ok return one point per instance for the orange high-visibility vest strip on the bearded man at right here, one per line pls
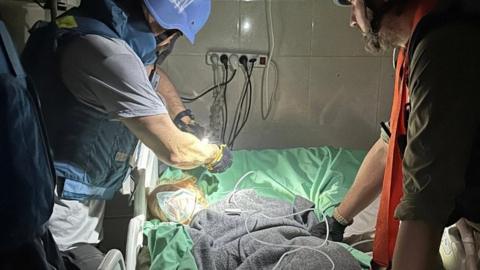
(387, 225)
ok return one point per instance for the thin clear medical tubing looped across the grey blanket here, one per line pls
(297, 247)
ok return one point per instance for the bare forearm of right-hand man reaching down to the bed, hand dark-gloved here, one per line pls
(368, 182)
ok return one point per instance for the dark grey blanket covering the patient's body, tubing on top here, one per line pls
(221, 240)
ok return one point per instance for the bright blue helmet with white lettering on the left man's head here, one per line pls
(188, 16)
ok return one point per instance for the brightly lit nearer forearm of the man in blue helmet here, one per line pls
(172, 146)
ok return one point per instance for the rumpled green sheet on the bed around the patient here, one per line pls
(322, 175)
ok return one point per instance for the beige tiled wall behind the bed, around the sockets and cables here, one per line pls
(330, 91)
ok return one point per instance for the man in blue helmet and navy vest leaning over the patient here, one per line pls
(96, 71)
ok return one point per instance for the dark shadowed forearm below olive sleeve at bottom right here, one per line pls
(417, 246)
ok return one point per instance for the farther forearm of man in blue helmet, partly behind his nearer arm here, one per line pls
(168, 92)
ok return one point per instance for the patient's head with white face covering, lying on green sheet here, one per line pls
(176, 202)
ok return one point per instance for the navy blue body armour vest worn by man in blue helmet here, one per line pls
(91, 151)
